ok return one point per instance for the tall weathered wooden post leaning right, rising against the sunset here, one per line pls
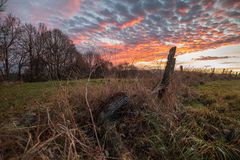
(167, 75)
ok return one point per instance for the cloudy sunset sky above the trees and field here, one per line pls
(206, 32)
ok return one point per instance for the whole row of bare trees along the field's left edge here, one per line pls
(36, 53)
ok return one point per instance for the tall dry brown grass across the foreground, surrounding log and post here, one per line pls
(147, 129)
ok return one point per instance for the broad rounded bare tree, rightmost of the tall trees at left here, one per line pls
(59, 53)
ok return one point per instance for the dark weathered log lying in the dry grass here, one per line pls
(109, 108)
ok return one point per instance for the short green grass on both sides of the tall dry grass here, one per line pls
(215, 94)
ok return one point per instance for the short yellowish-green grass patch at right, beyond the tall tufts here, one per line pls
(220, 96)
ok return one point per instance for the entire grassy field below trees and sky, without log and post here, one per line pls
(205, 126)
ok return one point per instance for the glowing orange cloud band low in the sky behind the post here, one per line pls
(155, 50)
